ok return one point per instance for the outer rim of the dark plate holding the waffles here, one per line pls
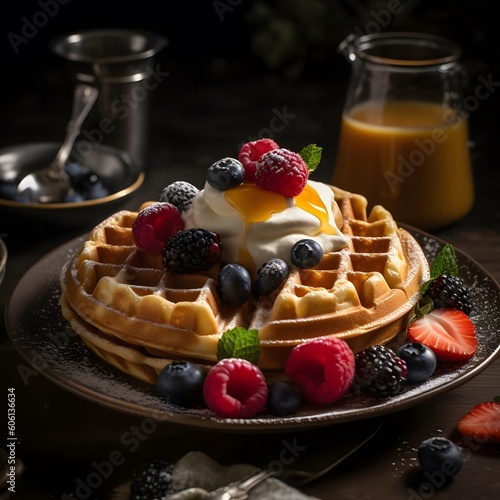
(210, 422)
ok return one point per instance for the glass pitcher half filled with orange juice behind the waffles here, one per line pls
(403, 138)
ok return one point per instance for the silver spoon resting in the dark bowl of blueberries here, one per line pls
(51, 184)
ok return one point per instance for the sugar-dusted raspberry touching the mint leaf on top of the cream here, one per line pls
(282, 171)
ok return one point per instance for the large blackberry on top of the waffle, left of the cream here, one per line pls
(192, 251)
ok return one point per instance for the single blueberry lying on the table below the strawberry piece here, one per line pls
(438, 454)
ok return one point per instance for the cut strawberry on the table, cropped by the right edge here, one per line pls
(482, 423)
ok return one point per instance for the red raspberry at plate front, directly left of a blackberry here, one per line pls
(323, 368)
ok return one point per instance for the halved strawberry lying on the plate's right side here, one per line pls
(450, 333)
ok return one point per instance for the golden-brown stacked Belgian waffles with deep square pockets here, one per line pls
(138, 317)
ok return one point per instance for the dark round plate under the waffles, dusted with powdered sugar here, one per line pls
(41, 335)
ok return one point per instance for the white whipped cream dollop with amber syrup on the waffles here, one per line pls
(256, 225)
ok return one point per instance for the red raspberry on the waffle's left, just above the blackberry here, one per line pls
(155, 225)
